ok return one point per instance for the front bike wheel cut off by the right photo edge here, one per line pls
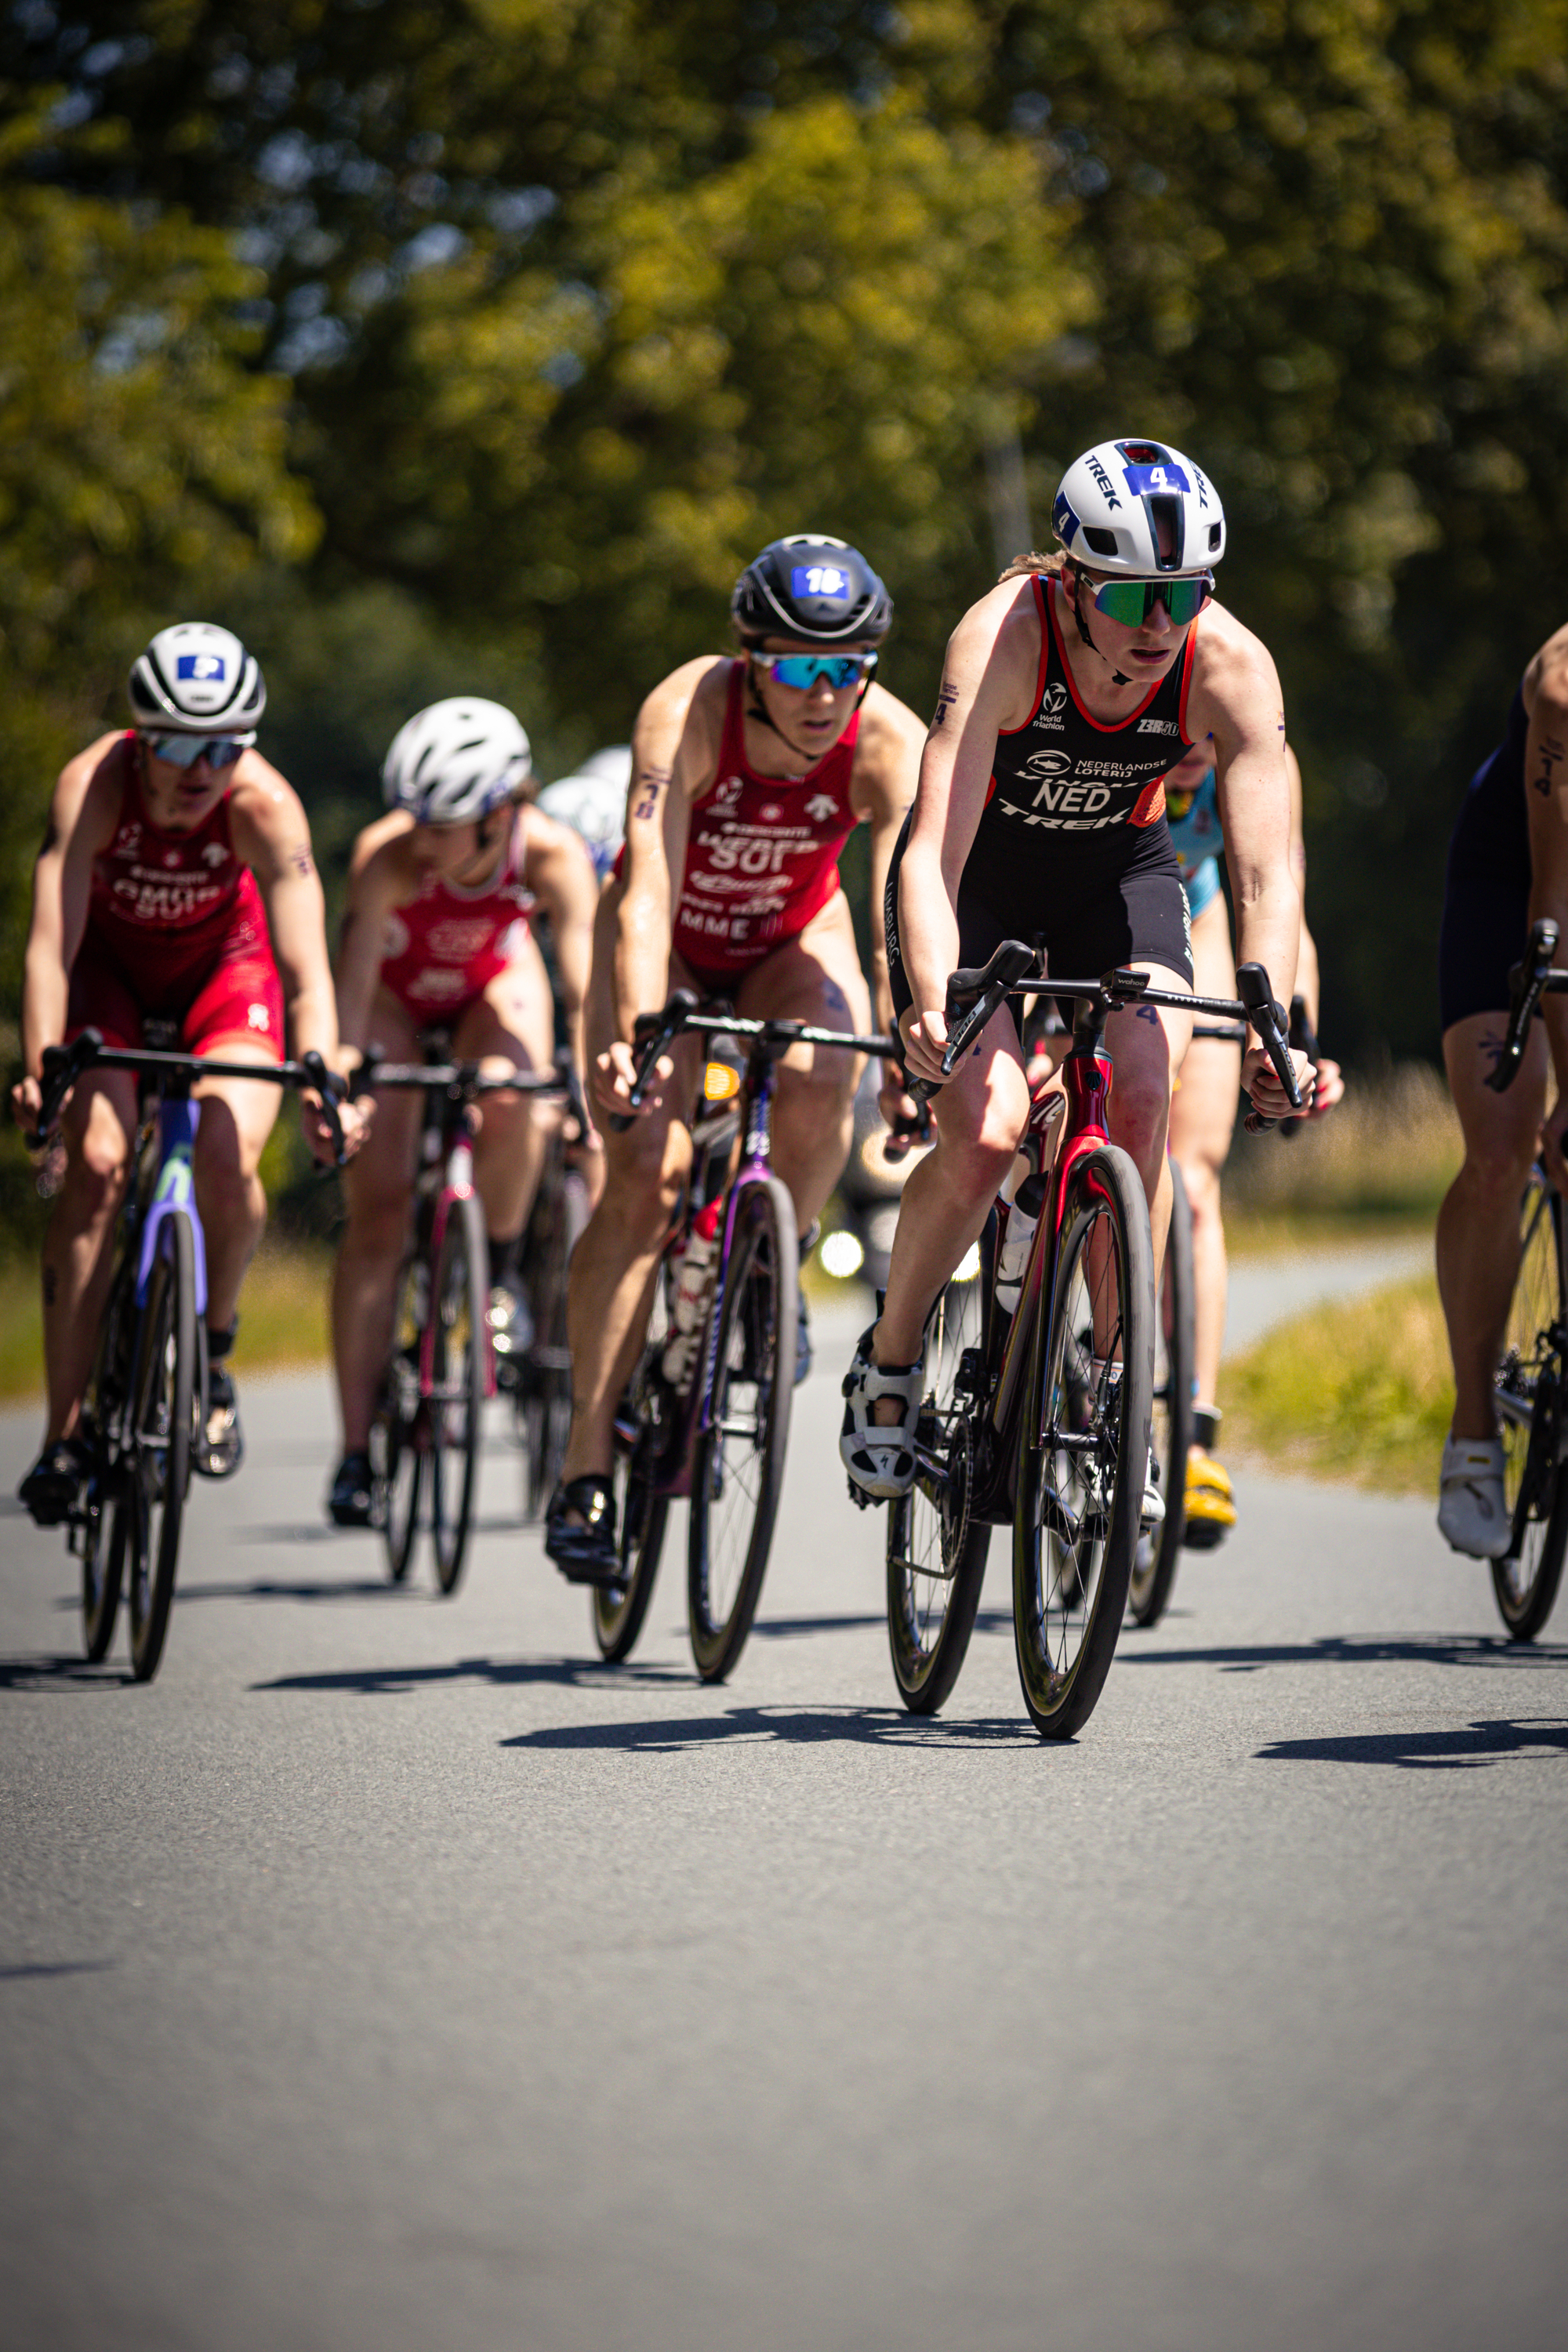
(1532, 1396)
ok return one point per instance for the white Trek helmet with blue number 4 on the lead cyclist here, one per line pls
(1113, 502)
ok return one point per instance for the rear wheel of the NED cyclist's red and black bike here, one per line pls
(934, 1546)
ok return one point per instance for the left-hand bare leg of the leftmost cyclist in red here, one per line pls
(98, 1130)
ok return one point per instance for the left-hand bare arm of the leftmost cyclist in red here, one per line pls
(83, 817)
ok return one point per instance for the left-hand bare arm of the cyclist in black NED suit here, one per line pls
(989, 679)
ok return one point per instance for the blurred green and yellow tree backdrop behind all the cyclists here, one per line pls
(478, 345)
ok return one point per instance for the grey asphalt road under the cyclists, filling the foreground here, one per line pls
(389, 1975)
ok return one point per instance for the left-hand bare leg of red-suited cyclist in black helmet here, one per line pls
(615, 1262)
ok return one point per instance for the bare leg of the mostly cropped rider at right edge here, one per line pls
(1477, 1229)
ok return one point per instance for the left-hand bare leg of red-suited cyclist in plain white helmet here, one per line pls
(377, 1194)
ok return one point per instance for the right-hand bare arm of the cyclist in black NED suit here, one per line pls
(1235, 697)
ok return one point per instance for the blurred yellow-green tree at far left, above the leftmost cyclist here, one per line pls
(138, 455)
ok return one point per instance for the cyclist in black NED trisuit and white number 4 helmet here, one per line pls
(1068, 695)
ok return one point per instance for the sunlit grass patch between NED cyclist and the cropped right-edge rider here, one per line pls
(1358, 1391)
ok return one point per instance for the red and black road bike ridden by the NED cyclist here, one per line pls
(1043, 1419)
